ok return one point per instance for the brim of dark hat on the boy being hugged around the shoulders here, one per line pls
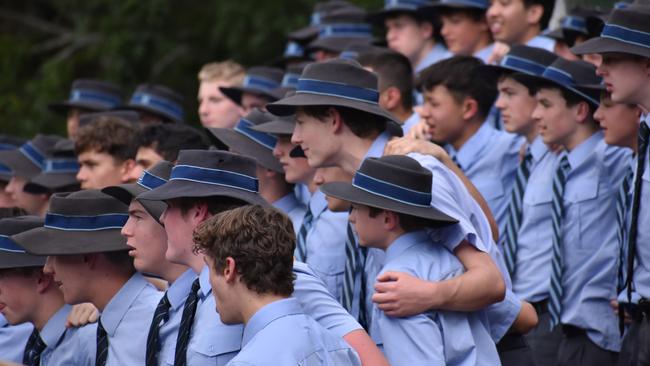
(348, 192)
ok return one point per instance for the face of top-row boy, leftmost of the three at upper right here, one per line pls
(407, 36)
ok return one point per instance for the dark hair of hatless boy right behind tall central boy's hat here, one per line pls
(393, 70)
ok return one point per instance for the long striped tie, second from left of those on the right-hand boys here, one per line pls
(555, 303)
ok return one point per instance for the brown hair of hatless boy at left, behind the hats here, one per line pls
(110, 135)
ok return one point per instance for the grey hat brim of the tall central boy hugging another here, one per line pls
(287, 107)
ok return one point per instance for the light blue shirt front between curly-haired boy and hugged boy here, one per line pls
(326, 243)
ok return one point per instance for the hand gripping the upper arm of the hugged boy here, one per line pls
(399, 294)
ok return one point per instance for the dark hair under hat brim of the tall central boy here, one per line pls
(362, 124)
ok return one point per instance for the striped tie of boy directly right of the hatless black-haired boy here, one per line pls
(509, 241)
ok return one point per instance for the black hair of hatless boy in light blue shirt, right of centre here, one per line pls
(459, 75)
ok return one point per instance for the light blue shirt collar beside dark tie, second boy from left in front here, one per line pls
(120, 303)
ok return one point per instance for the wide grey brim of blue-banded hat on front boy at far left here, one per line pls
(47, 241)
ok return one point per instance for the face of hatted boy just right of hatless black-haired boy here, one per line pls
(516, 106)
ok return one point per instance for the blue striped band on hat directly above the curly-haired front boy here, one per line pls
(216, 177)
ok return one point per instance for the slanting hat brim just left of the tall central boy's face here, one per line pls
(241, 144)
